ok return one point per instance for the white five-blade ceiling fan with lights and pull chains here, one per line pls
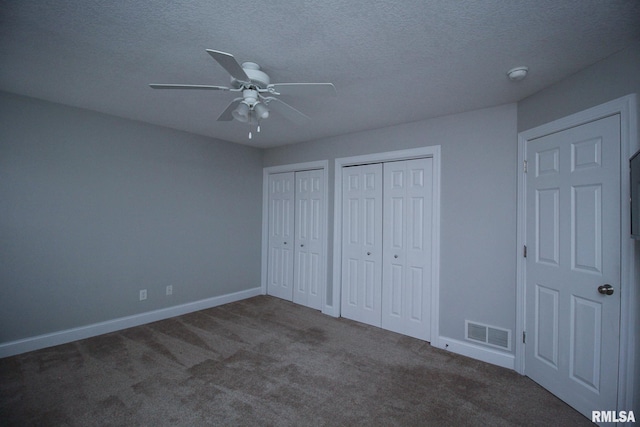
(259, 95)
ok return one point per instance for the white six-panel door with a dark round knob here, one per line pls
(573, 236)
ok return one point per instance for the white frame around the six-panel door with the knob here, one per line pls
(626, 106)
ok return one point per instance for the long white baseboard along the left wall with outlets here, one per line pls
(62, 337)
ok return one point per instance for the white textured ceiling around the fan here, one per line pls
(391, 62)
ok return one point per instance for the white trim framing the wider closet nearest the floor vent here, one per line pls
(431, 151)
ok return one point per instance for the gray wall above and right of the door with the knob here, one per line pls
(611, 78)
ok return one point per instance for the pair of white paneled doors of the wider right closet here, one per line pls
(387, 225)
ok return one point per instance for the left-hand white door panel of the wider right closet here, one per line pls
(362, 243)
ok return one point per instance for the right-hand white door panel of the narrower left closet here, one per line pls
(309, 231)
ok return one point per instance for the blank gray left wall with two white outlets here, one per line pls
(94, 208)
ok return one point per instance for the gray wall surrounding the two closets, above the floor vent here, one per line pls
(478, 205)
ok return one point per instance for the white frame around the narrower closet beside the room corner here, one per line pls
(296, 167)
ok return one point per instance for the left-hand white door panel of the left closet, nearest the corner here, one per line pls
(281, 229)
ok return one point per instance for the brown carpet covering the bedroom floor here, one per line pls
(265, 361)
